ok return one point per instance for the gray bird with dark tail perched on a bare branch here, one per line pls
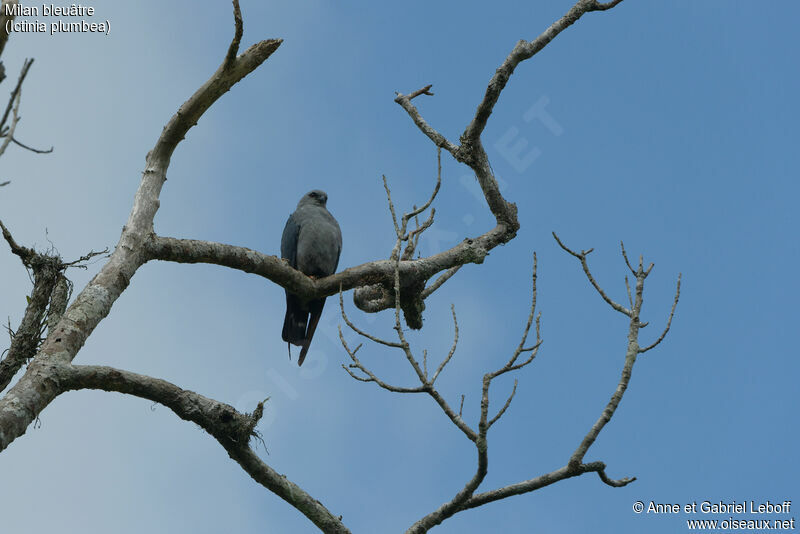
(312, 242)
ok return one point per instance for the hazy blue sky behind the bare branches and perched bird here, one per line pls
(669, 125)
